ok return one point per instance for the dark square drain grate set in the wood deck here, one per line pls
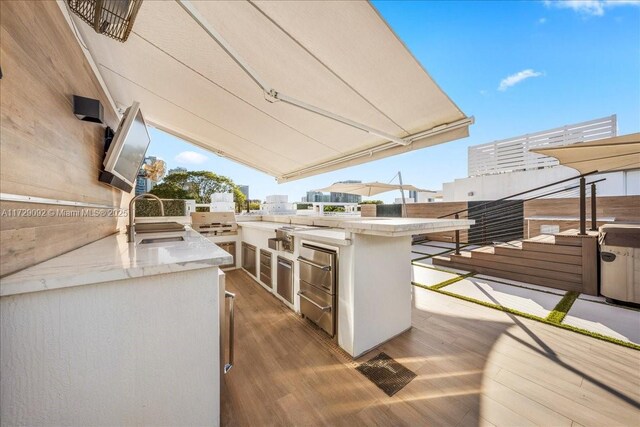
(387, 374)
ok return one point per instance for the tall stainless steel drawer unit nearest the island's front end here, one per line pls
(318, 286)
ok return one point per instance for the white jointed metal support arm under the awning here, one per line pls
(268, 90)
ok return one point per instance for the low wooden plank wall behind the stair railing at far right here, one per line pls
(622, 208)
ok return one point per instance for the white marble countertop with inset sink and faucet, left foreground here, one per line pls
(113, 258)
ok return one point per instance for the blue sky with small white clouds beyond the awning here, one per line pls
(518, 67)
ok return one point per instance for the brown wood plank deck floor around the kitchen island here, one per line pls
(475, 366)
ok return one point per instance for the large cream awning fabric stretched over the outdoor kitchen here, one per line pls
(337, 56)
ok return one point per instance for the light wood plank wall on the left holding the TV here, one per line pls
(45, 151)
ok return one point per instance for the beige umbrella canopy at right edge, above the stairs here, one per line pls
(604, 155)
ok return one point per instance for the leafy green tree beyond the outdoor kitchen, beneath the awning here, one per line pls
(198, 185)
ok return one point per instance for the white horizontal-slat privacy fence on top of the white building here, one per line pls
(509, 155)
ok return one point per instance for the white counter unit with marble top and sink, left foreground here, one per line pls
(115, 333)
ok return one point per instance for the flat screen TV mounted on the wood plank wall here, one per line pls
(126, 151)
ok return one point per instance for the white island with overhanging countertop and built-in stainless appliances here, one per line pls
(374, 293)
